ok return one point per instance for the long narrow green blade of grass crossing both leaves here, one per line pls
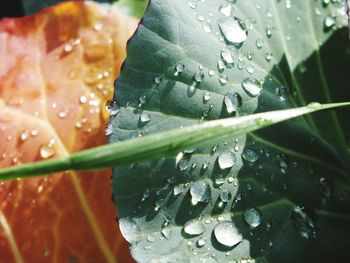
(161, 144)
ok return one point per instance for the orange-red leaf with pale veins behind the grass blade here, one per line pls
(56, 72)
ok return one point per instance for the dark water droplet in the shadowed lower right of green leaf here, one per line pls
(304, 219)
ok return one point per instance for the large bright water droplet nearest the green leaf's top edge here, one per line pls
(234, 30)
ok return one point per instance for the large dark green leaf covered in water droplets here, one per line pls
(269, 196)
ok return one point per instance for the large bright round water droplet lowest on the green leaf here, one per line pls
(227, 234)
